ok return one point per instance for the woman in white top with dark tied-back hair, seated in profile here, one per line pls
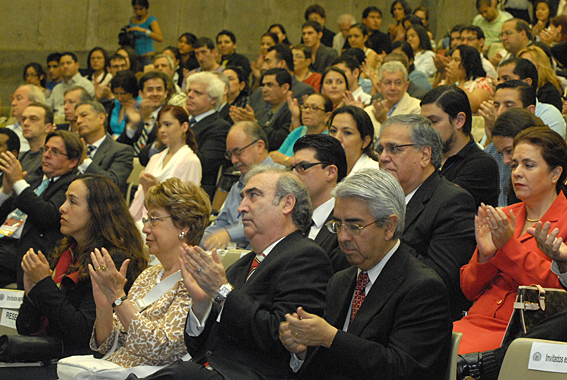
(177, 160)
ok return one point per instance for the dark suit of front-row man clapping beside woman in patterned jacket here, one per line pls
(245, 344)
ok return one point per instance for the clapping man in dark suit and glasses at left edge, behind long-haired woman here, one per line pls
(30, 211)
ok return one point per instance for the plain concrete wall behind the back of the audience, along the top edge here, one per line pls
(30, 29)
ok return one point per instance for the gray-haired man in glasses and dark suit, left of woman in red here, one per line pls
(440, 215)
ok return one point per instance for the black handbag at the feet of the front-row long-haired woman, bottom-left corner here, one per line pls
(23, 348)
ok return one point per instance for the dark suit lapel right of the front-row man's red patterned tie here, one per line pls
(387, 283)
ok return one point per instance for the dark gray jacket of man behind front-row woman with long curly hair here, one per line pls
(114, 161)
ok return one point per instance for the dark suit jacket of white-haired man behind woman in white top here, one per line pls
(210, 134)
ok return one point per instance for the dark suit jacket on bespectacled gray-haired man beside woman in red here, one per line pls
(439, 226)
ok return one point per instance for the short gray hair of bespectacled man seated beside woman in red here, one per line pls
(422, 134)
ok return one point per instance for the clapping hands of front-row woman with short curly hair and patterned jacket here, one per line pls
(103, 272)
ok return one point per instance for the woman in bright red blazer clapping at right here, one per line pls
(507, 256)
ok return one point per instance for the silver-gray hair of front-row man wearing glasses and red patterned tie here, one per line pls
(380, 191)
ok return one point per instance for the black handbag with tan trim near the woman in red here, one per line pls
(533, 305)
